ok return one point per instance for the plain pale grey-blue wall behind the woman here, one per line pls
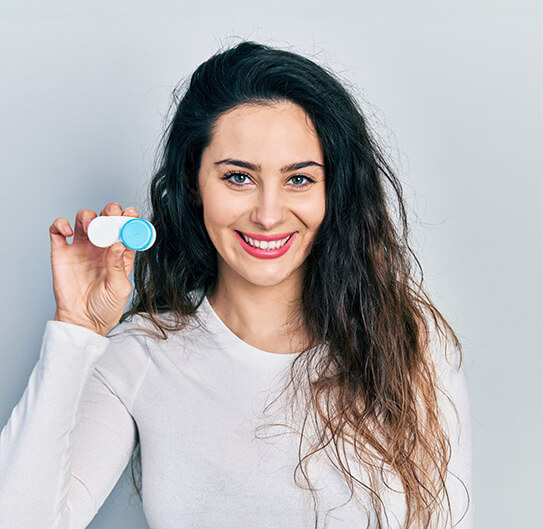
(454, 88)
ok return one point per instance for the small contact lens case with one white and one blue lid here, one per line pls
(135, 233)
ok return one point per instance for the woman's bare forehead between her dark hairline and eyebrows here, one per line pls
(275, 130)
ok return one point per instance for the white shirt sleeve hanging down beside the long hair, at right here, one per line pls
(454, 403)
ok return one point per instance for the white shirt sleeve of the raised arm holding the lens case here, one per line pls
(69, 438)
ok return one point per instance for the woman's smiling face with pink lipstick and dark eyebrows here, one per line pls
(246, 186)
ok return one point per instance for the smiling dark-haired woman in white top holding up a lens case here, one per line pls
(304, 383)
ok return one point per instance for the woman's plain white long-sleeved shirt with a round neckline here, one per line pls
(195, 400)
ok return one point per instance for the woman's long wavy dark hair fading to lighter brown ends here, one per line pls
(368, 382)
